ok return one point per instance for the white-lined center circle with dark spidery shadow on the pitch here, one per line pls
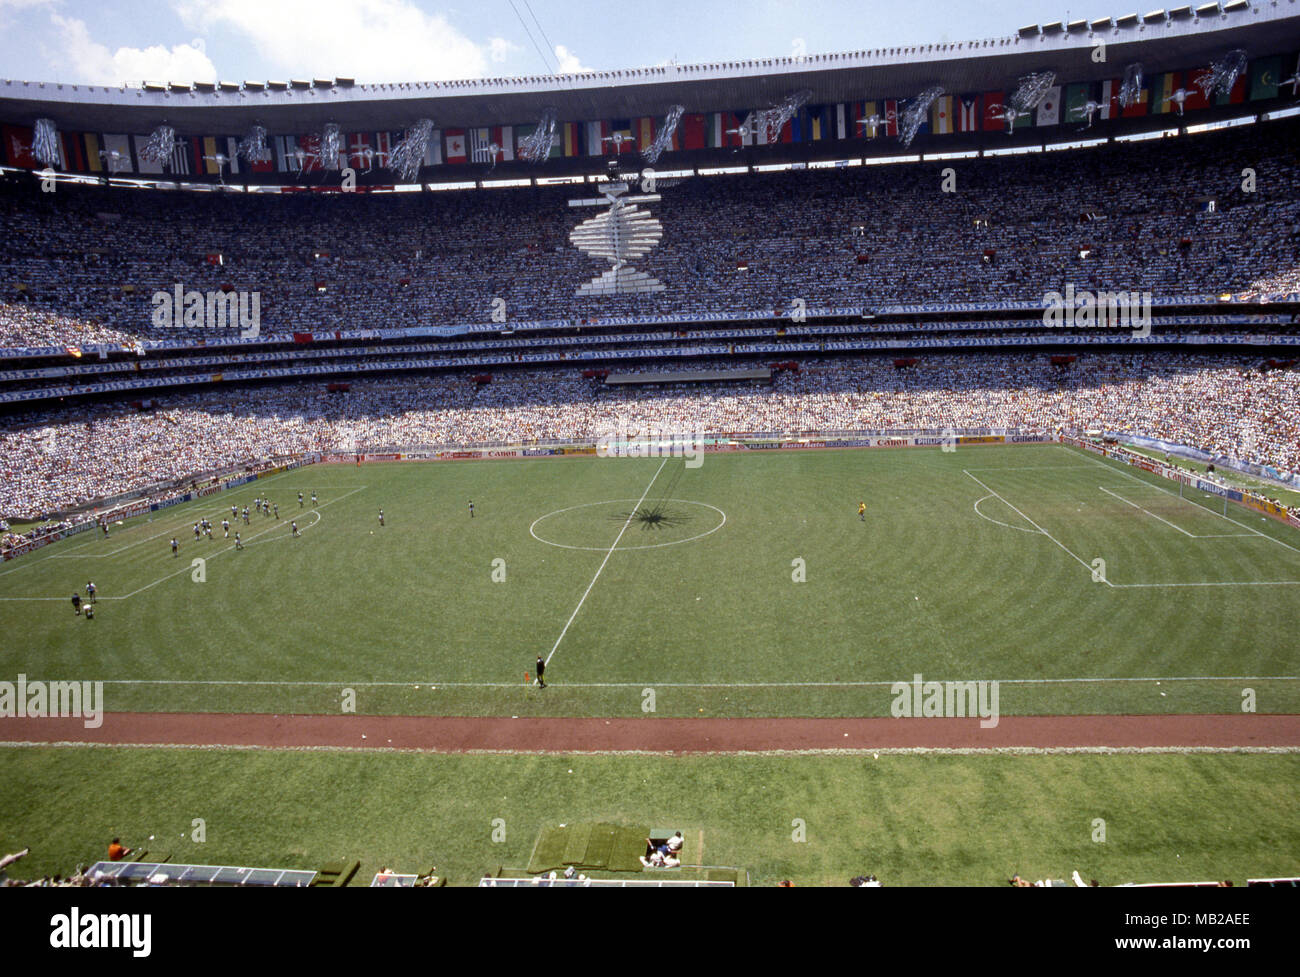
(597, 520)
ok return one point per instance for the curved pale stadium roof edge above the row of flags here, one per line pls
(1164, 40)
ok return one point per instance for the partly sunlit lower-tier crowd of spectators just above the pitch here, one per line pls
(59, 459)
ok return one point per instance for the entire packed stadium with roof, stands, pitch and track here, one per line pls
(879, 466)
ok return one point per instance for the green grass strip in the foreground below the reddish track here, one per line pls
(911, 820)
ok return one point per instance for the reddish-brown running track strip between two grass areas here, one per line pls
(662, 736)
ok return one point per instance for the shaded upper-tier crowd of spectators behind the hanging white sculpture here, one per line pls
(1168, 216)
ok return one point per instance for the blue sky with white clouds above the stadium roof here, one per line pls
(111, 42)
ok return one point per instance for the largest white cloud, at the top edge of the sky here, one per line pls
(372, 41)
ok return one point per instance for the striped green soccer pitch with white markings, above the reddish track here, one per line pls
(411, 618)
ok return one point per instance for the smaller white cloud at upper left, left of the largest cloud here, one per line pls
(83, 60)
